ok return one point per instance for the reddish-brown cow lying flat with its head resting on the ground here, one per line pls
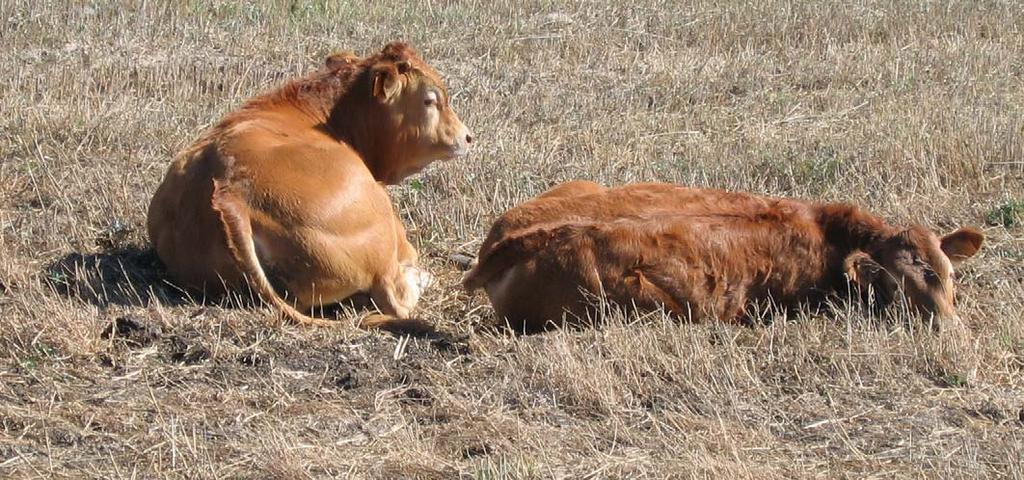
(704, 253)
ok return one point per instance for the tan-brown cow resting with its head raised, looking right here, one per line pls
(284, 197)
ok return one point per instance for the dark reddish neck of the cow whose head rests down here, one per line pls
(847, 228)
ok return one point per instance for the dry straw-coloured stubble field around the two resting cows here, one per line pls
(913, 109)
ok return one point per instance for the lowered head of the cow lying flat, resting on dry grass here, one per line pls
(919, 265)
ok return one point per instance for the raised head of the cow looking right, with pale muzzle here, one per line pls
(417, 112)
